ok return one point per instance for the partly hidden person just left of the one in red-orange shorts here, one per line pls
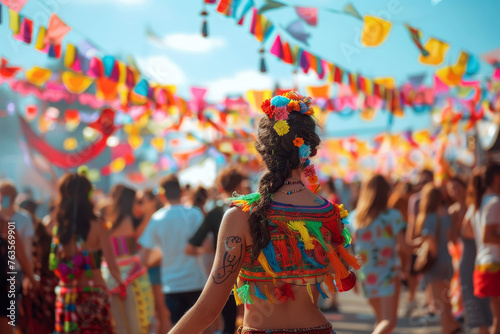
(477, 310)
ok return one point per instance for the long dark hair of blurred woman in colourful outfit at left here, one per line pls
(74, 209)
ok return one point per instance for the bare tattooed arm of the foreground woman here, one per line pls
(229, 257)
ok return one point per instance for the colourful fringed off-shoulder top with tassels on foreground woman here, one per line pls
(305, 240)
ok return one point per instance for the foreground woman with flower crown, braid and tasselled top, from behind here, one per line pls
(277, 246)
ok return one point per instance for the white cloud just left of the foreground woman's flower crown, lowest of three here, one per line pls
(240, 83)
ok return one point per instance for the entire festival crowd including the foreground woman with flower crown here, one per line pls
(138, 261)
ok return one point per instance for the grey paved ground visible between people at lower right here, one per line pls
(356, 317)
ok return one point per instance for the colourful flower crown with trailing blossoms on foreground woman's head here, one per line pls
(278, 109)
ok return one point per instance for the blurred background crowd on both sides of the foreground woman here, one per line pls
(148, 252)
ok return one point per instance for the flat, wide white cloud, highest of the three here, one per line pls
(194, 43)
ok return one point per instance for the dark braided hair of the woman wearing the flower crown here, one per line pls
(280, 156)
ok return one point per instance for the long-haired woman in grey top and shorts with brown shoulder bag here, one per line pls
(433, 223)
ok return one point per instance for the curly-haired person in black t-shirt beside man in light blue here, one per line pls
(229, 180)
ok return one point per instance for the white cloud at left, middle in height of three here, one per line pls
(162, 69)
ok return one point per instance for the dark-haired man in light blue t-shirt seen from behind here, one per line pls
(169, 229)
